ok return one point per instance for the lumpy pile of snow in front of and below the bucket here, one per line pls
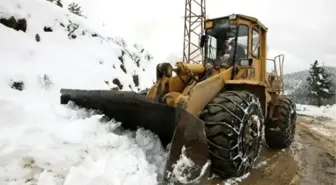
(49, 144)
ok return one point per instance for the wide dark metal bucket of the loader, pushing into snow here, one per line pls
(185, 132)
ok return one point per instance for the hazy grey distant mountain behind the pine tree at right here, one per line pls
(297, 87)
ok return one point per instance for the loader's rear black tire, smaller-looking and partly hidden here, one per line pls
(280, 133)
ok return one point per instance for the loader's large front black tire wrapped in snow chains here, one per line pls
(226, 118)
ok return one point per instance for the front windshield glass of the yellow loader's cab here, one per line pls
(221, 47)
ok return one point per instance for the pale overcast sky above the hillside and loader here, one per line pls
(303, 30)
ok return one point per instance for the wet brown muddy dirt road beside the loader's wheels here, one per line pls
(311, 160)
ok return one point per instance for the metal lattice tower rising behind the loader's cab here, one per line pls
(193, 29)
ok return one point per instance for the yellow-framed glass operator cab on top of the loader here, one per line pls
(235, 40)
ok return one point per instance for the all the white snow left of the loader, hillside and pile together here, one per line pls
(45, 143)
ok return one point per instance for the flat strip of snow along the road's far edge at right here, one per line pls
(323, 111)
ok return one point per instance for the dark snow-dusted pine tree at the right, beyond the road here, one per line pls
(319, 84)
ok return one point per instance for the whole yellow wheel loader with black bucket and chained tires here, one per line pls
(214, 116)
